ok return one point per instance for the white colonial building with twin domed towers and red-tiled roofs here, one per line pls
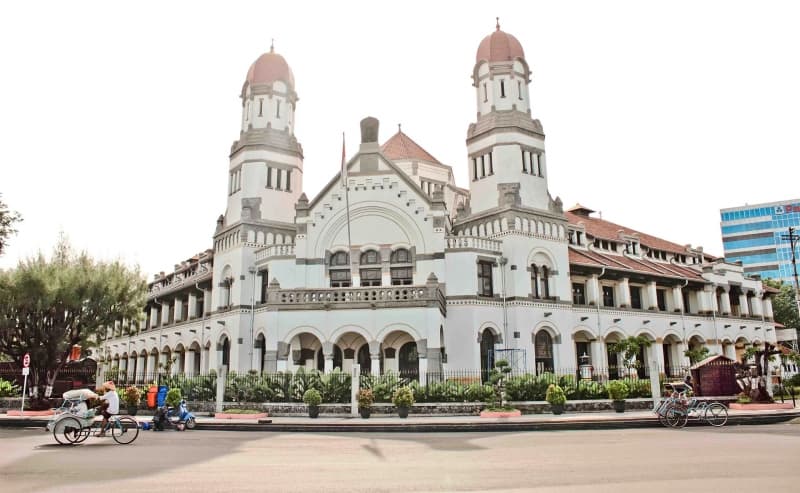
(429, 276)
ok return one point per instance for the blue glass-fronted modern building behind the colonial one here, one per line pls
(754, 234)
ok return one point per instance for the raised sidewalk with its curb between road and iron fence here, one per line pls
(426, 423)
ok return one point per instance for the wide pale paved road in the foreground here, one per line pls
(744, 458)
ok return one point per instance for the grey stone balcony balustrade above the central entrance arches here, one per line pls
(430, 294)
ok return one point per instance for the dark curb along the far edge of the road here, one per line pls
(358, 426)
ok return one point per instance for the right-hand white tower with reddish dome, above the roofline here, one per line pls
(505, 145)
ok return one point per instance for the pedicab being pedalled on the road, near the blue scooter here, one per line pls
(72, 426)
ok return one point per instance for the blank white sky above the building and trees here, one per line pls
(116, 121)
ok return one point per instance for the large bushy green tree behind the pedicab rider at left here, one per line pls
(48, 306)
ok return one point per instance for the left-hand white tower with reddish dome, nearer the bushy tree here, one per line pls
(265, 181)
